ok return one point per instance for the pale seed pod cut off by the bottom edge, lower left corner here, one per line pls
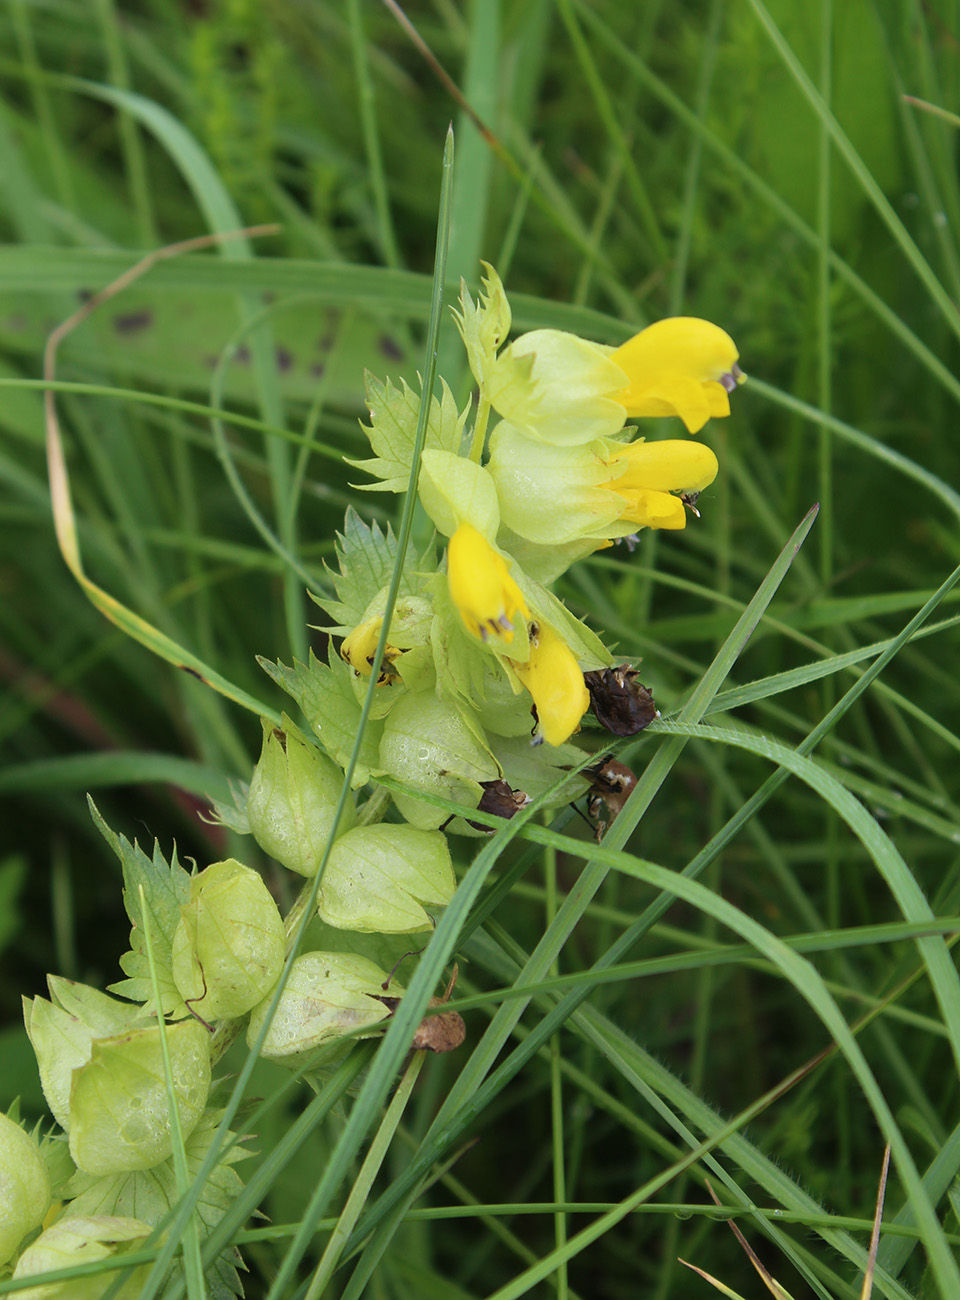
(84, 1241)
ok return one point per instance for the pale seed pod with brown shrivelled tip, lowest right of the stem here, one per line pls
(327, 996)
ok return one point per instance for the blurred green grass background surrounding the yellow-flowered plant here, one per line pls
(755, 166)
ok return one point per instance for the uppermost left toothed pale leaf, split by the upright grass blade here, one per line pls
(392, 432)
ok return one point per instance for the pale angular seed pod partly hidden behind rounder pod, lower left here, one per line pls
(62, 1034)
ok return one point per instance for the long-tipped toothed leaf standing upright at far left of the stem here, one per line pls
(166, 890)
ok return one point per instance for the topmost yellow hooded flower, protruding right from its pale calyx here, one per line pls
(681, 366)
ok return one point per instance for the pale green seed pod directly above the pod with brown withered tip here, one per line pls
(378, 877)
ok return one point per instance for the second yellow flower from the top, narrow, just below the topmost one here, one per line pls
(654, 473)
